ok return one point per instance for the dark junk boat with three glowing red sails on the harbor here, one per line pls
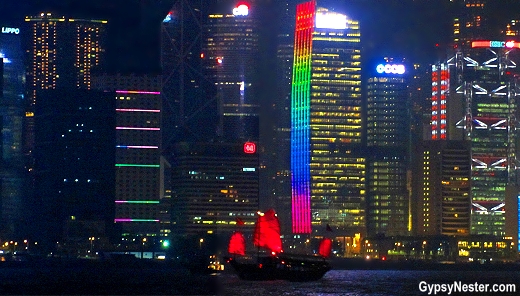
(274, 264)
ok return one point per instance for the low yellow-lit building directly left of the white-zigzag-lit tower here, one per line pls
(442, 195)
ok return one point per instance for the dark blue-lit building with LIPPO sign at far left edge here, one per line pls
(11, 115)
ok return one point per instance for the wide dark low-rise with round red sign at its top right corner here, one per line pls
(215, 188)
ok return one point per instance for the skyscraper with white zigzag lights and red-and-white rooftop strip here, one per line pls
(490, 92)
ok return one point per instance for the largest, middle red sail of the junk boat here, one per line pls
(267, 232)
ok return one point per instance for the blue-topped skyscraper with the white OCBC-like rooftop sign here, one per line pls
(388, 139)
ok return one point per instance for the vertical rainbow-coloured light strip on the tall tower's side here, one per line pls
(300, 118)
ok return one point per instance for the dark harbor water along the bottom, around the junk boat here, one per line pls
(154, 278)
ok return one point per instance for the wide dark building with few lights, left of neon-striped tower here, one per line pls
(74, 168)
